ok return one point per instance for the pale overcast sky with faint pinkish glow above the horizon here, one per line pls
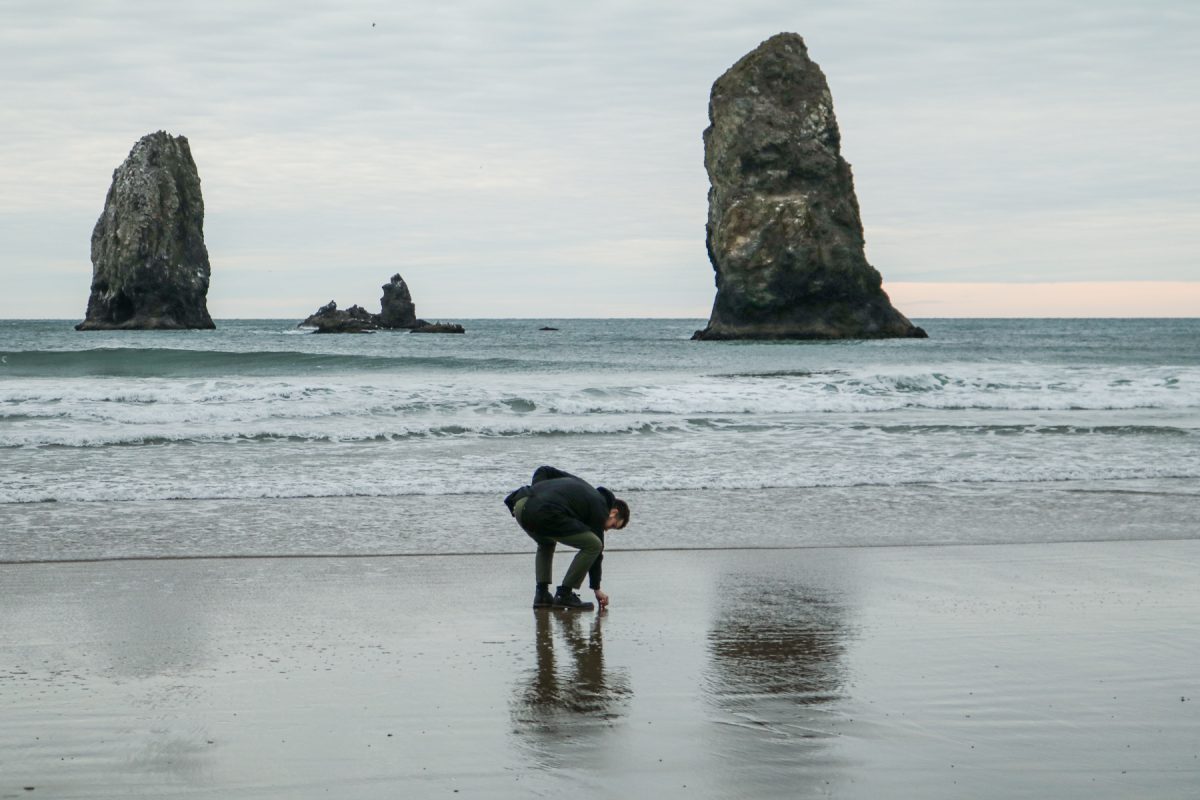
(527, 159)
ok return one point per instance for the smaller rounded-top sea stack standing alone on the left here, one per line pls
(151, 268)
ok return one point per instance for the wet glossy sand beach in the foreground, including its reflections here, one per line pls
(1024, 671)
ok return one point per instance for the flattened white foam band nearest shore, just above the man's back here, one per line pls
(919, 449)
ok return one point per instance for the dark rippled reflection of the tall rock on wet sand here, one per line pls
(776, 678)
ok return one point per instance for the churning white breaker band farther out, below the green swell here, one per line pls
(94, 413)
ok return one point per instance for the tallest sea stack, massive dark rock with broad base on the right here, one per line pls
(784, 232)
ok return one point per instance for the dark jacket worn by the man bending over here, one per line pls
(561, 504)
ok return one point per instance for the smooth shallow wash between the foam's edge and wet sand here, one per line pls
(889, 516)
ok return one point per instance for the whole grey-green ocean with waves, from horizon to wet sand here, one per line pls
(263, 440)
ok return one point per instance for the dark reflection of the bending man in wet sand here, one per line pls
(571, 699)
